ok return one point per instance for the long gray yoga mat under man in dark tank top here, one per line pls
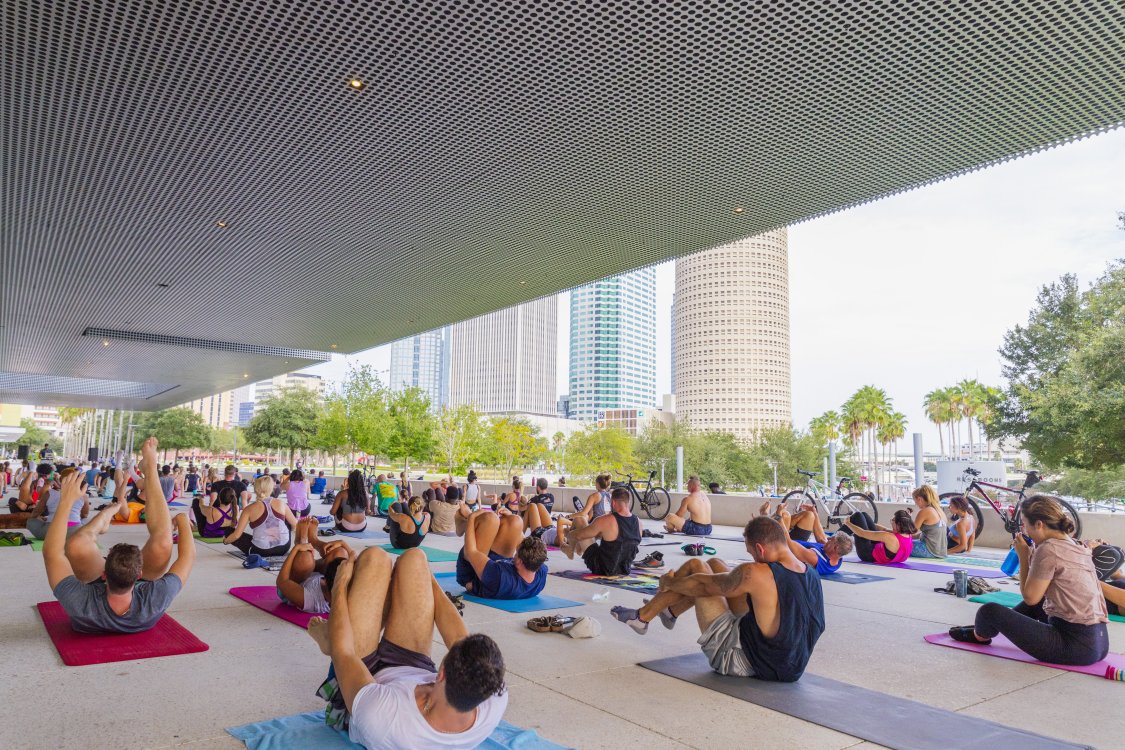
(870, 716)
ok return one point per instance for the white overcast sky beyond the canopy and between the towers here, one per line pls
(915, 292)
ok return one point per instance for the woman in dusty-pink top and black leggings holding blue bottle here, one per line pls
(1063, 619)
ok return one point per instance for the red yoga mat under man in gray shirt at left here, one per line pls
(167, 638)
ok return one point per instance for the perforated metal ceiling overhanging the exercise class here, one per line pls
(498, 152)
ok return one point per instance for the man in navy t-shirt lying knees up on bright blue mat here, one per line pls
(498, 563)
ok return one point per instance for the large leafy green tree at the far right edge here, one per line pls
(1066, 372)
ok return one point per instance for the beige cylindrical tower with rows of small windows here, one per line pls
(732, 357)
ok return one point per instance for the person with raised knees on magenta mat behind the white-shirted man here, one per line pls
(305, 580)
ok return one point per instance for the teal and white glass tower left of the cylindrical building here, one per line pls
(614, 346)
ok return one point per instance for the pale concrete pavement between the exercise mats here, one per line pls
(584, 694)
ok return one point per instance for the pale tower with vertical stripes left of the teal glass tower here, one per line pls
(506, 363)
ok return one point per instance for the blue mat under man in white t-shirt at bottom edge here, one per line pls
(302, 731)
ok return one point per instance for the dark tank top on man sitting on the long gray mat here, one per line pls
(802, 602)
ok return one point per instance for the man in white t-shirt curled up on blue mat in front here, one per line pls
(384, 688)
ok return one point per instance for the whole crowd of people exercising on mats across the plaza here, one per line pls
(376, 616)
